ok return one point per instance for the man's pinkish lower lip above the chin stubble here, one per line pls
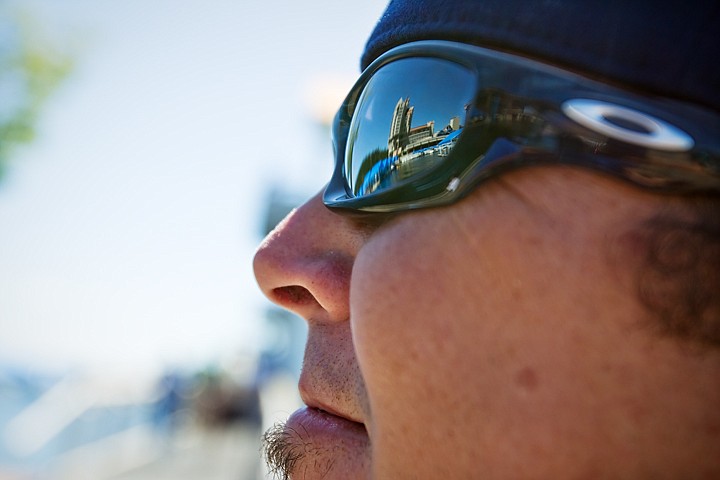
(321, 426)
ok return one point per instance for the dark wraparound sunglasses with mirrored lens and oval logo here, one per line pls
(429, 121)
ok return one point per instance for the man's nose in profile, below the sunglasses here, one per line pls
(305, 263)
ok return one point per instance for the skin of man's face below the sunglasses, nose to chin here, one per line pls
(500, 337)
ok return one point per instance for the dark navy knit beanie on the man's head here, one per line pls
(660, 47)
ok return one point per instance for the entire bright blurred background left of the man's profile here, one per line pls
(146, 146)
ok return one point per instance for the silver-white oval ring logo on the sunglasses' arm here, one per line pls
(627, 125)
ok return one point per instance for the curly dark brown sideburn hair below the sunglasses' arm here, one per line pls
(679, 281)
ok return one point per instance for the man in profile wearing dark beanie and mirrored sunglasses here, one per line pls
(514, 271)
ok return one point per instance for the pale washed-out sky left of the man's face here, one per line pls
(127, 229)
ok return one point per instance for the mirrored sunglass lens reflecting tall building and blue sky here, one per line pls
(406, 122)
